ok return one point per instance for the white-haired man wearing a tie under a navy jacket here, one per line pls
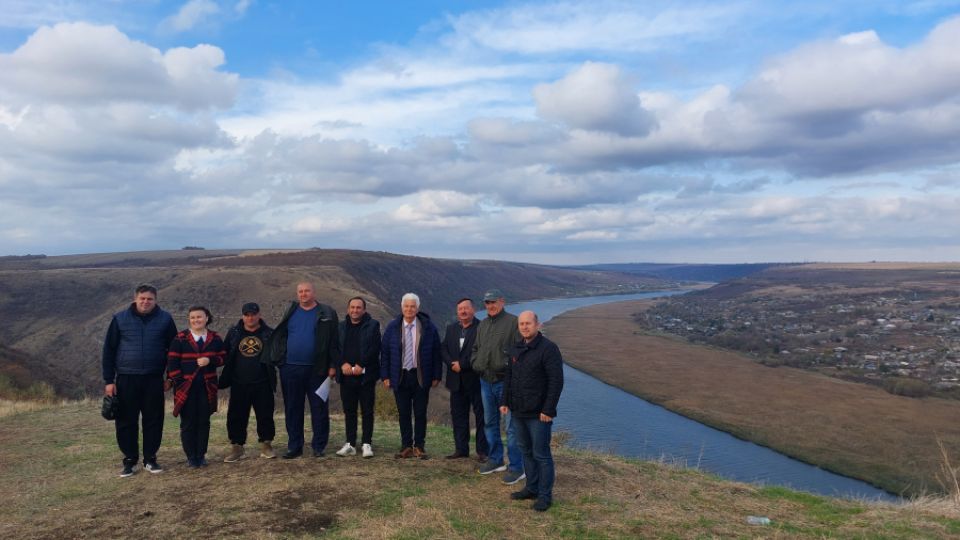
(410, 364)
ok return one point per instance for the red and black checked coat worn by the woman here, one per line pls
(182, 366)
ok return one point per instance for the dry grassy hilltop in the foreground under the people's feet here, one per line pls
(67, 487)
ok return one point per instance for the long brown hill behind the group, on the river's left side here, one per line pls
(55, 310)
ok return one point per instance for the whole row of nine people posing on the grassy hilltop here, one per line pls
(501, 366)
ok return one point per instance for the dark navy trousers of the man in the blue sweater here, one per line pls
(297, 383)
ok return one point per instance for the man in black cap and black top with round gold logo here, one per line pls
(251, 382)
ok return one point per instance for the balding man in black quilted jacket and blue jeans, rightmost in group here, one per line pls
(531, 391)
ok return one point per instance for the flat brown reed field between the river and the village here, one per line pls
(853, 429)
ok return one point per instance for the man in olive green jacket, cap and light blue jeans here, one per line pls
(496, 334)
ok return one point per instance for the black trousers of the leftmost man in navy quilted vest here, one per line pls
(141, 396)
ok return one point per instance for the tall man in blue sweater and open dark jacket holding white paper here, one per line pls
(306, 347)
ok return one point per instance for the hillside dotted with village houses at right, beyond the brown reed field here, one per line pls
(892, 325)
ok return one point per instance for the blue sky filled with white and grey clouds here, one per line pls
(556, 132)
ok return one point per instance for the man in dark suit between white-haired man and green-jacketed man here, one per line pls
(463, 383)
